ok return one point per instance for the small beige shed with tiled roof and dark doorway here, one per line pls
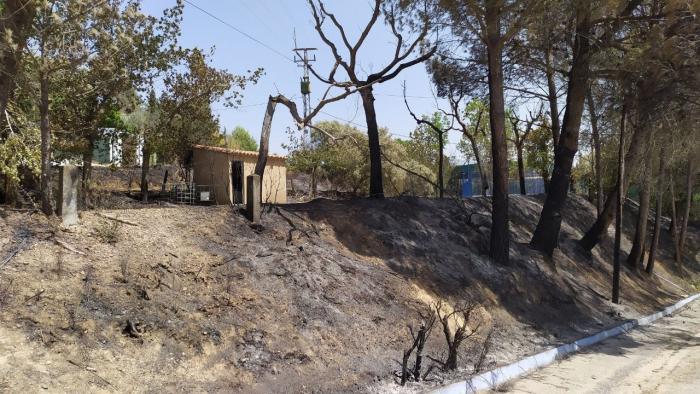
(225, 171)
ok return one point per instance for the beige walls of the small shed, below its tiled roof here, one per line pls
(214, 169)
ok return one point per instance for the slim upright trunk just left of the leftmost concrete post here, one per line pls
(45, 180)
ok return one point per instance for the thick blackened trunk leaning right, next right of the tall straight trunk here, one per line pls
(546, 235)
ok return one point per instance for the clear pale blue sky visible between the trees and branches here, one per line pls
(274, 23)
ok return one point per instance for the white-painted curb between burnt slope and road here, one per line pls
(498, 376)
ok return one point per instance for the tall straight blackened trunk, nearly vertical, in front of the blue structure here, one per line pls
(499, 243)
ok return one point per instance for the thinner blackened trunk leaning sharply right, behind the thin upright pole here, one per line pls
(638, 140)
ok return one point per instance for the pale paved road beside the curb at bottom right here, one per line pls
(661, 358)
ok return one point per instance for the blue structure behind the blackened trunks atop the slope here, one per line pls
(467, 180)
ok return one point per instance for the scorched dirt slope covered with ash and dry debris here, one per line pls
(317, 299)
